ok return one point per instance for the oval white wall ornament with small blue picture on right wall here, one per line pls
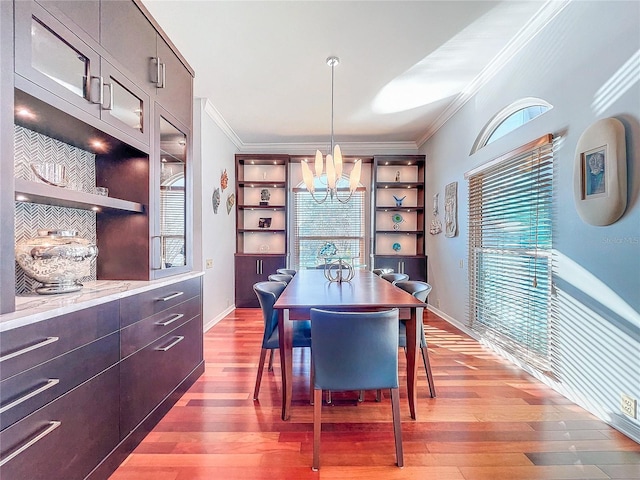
(600, 173)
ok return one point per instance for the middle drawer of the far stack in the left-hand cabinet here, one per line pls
(140, 334)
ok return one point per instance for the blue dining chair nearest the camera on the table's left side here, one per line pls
(268, 293)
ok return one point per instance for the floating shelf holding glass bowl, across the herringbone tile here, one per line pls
(61, 197)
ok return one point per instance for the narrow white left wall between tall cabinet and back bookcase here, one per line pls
(214, 235)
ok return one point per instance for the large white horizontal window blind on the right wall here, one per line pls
(510, 241)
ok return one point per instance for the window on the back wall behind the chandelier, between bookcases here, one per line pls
(316, 224)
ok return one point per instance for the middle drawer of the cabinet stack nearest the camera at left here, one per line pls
(24, 393)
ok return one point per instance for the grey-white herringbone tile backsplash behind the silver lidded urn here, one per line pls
(32, 147)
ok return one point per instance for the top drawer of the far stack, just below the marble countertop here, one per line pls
(143, 305)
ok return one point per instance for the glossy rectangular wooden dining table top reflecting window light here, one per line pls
(310, 289)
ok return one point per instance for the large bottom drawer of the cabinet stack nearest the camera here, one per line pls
(66, 439)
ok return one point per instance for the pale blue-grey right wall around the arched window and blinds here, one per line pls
(579, 64)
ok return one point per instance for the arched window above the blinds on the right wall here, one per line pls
(510, 118)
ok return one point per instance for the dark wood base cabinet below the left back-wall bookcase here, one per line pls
(251, 269)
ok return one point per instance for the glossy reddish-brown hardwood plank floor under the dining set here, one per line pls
(489, 421)
